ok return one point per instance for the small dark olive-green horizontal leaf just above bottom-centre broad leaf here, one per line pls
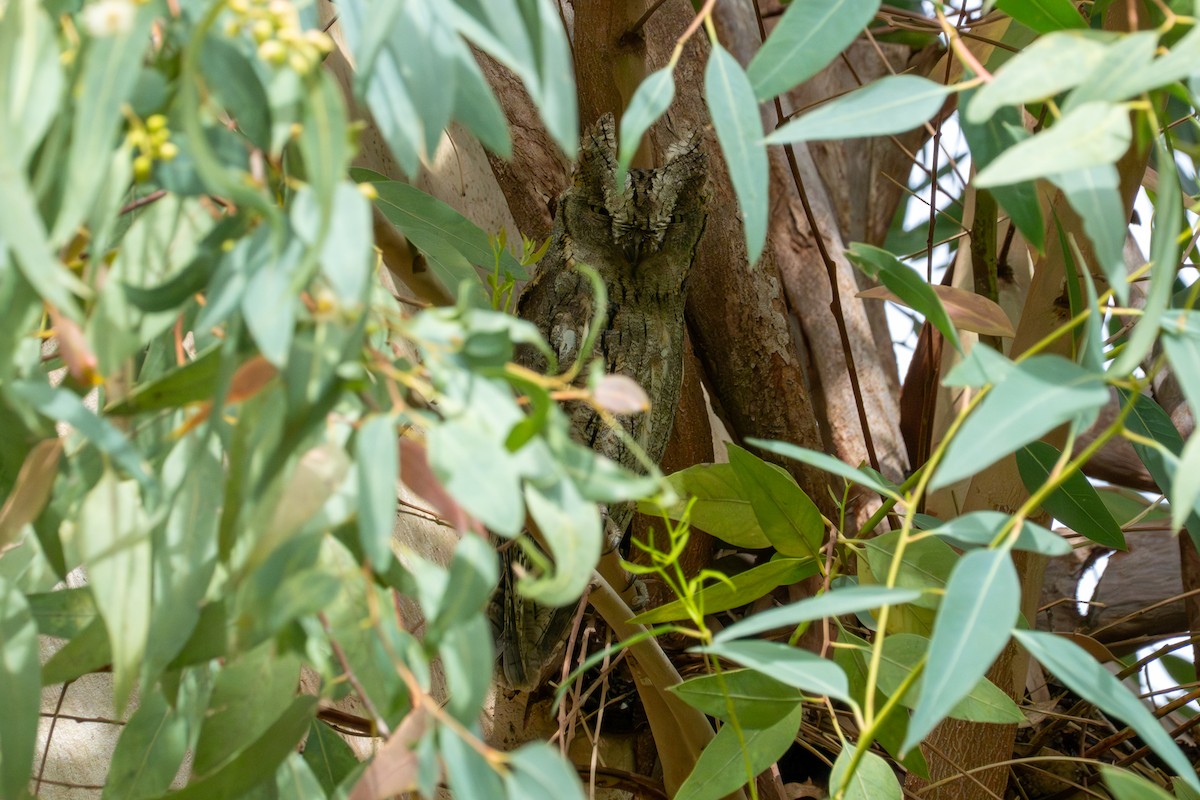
(758, 701)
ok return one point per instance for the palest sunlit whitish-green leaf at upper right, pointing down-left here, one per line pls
(1089, 136)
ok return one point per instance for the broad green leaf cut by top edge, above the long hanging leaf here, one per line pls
(807, 38)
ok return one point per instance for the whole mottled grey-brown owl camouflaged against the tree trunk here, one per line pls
(641, 238)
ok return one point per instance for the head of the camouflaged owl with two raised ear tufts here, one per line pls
(645, 230)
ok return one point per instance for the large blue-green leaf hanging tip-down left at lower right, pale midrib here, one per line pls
(982, 603)
